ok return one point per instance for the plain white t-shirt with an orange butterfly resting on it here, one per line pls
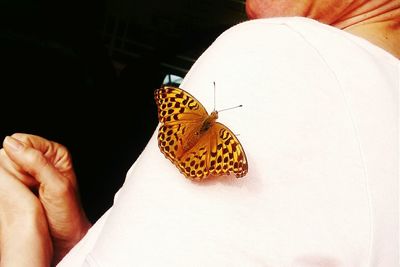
(319, 125)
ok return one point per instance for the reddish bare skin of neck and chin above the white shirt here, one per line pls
(377, 21)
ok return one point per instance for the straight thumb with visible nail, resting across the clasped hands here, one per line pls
(33, 162)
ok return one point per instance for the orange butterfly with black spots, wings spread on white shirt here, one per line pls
(191, 139)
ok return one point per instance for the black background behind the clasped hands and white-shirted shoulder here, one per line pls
(82, 73)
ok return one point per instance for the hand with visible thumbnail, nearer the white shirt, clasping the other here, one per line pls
(46, 166)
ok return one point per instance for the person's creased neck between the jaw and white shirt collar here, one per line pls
(380, 26)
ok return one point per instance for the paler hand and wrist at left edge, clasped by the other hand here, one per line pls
(24, 235)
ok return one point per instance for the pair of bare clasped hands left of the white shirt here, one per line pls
(42, 171)
